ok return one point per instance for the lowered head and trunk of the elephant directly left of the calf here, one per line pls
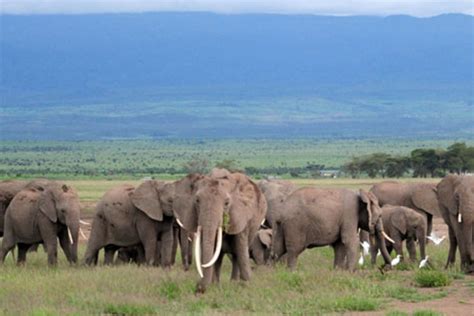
(370, 219)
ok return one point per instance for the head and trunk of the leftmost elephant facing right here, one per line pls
(60, 204)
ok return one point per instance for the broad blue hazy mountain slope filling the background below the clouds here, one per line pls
(211, 70)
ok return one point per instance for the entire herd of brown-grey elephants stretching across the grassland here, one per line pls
(226, 213)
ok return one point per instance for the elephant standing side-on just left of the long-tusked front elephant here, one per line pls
(127, 216)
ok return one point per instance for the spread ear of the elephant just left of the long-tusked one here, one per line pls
(145, 198)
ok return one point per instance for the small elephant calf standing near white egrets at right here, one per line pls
(403, 223)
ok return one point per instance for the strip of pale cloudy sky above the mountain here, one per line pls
(323, 7)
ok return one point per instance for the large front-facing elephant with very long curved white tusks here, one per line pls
(224, 214)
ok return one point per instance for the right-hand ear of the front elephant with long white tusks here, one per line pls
(245, 204)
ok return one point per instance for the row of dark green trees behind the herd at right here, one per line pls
(422, 162)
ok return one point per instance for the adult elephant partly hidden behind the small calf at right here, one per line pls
(421, 197)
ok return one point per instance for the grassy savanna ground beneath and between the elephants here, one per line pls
(314, 288)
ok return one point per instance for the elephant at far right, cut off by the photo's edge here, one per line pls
(456, 202)
